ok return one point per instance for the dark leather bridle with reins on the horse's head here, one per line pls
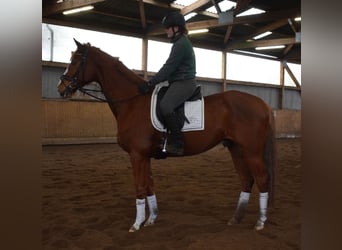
(75, 82)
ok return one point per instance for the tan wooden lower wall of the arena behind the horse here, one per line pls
(78, 122)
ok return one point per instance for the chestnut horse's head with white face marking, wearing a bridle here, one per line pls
(74, 75)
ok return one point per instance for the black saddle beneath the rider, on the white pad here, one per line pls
(197, 95)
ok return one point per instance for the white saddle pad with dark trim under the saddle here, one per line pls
(194, 112)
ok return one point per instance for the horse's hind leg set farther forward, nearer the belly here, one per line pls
(247, 181)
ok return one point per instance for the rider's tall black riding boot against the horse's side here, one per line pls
(175, 143)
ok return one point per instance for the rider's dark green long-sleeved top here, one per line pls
(181, 64)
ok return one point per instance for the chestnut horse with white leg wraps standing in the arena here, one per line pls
(242, 122)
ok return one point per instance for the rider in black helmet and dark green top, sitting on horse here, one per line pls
(179, 70)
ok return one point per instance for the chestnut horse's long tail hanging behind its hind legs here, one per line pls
(270, 155)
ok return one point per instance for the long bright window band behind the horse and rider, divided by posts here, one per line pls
(57, 45)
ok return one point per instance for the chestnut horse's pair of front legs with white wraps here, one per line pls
(143, 181)
